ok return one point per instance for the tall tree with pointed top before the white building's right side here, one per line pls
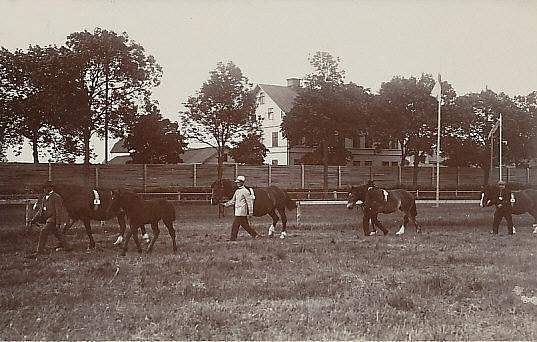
(325, 108)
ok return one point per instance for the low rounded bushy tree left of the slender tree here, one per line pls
(154, 140)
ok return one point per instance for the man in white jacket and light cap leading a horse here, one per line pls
(244, 207)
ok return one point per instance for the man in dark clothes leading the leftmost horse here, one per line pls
(53, 215)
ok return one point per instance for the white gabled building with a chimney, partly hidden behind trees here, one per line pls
(274, 101)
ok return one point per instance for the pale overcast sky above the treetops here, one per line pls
(473, 44)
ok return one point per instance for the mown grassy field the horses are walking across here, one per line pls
(324, 282)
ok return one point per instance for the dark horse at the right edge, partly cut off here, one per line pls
(525, 201)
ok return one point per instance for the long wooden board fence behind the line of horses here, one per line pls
(17, 178)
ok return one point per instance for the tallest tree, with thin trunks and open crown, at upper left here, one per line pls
(118, 78)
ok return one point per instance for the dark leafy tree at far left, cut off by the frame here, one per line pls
(36, 88)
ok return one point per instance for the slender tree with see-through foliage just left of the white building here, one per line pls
(222, 111)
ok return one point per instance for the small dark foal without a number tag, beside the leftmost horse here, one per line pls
(140, 212)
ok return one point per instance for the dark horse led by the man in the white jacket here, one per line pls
(266, 202)
